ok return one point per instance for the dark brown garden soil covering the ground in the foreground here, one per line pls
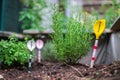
(59, 71)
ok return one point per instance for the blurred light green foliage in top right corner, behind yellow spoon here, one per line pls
(112, 13)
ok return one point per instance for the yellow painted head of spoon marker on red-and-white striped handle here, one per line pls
(99, 27)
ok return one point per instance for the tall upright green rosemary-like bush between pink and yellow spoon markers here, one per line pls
(74, 43)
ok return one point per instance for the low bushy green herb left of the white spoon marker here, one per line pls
(13, 51)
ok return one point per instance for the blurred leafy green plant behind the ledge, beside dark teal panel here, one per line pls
(30, 15)
